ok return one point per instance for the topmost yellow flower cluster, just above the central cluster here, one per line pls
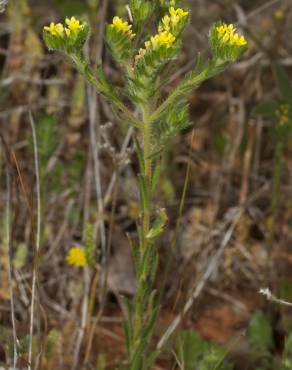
(175, 21)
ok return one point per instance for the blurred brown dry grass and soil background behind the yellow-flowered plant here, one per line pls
(234, 235)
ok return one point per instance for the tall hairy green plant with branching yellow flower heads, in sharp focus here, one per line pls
(143, 59)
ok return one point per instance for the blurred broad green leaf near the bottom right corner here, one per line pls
(260, 333)
